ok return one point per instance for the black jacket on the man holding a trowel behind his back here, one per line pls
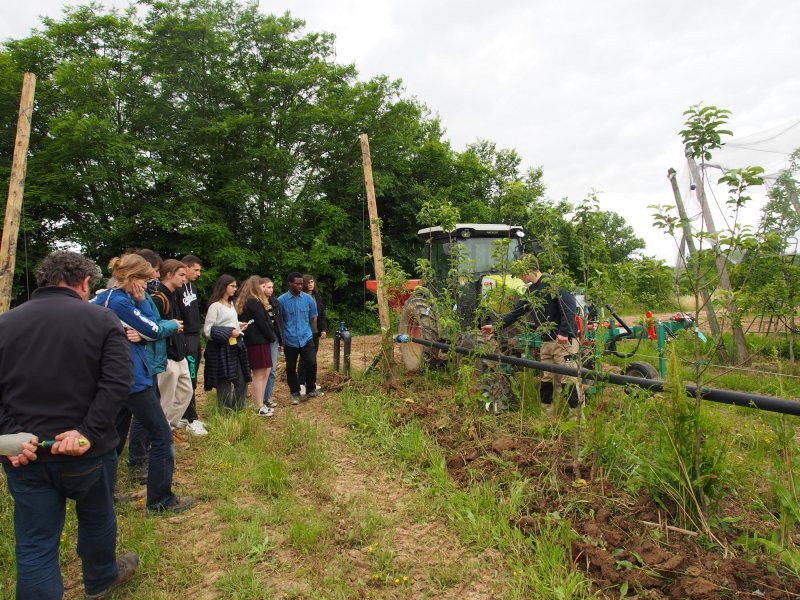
(64, 364)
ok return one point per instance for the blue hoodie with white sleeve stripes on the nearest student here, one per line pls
(142, 317)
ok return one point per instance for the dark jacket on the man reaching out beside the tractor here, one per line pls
(550, 310)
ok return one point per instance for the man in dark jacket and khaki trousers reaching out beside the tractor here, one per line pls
(551, 312)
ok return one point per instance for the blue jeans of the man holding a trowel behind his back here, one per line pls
(40, 490)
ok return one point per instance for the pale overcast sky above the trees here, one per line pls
(592, 91)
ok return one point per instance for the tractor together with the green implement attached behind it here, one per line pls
(479, 279)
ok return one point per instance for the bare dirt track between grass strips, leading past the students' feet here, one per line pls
(423, 548)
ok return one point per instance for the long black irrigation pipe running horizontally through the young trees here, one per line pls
(783, 406)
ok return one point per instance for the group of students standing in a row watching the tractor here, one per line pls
(156, 300)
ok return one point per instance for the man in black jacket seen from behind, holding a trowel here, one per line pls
(65, 370)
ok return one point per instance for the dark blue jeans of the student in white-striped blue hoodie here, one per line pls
(147, 410)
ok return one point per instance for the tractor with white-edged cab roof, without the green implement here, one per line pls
(477, 277)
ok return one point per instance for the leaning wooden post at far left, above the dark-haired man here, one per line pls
(16, 187)
